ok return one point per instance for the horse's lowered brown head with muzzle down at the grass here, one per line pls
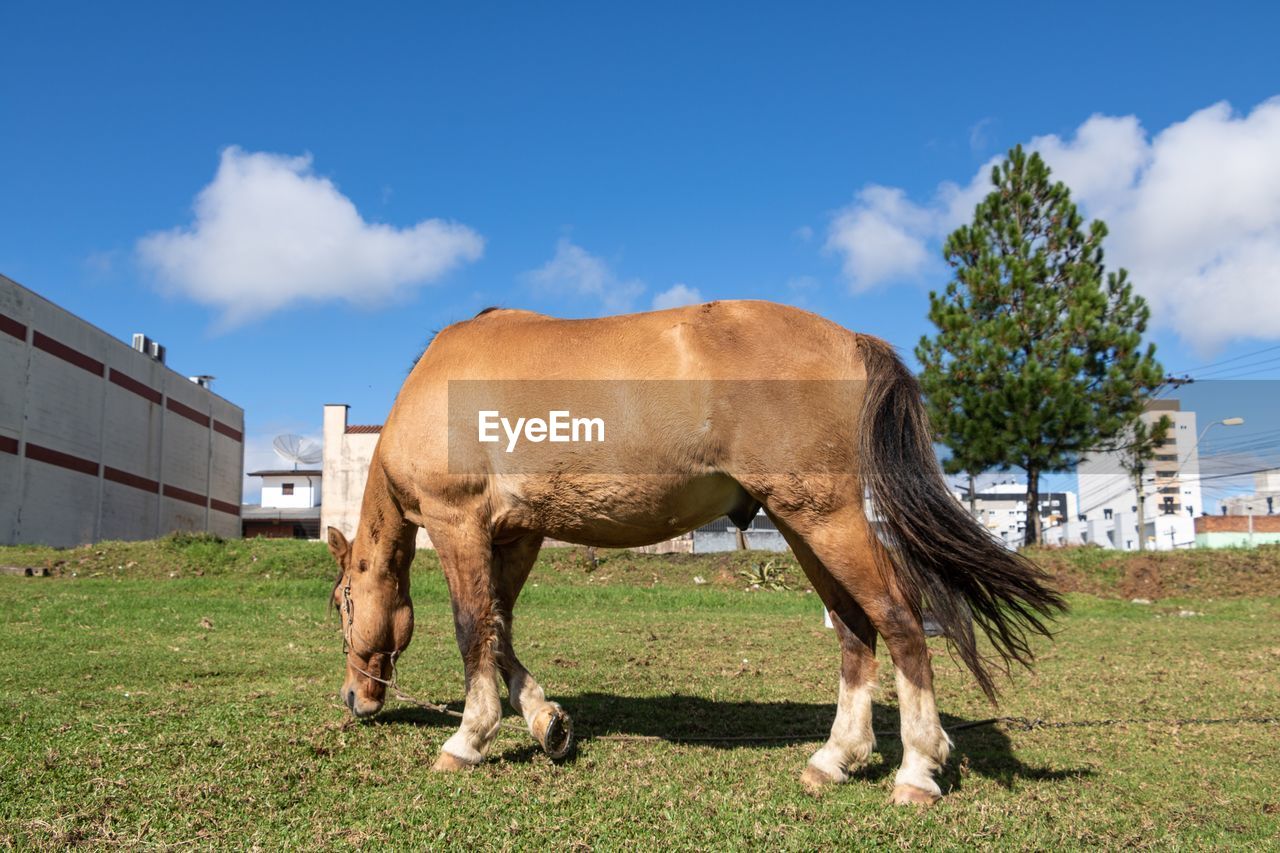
(372, 597)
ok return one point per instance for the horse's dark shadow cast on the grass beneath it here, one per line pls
(721, 724)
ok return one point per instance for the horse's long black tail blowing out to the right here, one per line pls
(941, 558)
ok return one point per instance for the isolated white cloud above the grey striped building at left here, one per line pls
(268, 232)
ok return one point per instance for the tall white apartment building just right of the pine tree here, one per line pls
(1172, 492)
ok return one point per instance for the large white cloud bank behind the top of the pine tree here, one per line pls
(1194, 213)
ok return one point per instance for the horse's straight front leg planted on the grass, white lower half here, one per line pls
(478, 624)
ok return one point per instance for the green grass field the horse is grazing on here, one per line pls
(184, 692)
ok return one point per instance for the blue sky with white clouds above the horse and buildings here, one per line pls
(593, 158)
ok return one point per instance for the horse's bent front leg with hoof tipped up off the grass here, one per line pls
(547, 722)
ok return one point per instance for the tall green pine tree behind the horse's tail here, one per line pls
(1039, 355)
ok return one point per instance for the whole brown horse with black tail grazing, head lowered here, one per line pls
(703, 412)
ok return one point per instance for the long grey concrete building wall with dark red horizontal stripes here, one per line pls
(102, 443)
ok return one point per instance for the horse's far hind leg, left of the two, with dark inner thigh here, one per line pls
(852, 737)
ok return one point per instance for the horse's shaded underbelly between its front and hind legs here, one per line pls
(618, 512)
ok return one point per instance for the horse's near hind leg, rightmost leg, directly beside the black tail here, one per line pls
(845, 545)
